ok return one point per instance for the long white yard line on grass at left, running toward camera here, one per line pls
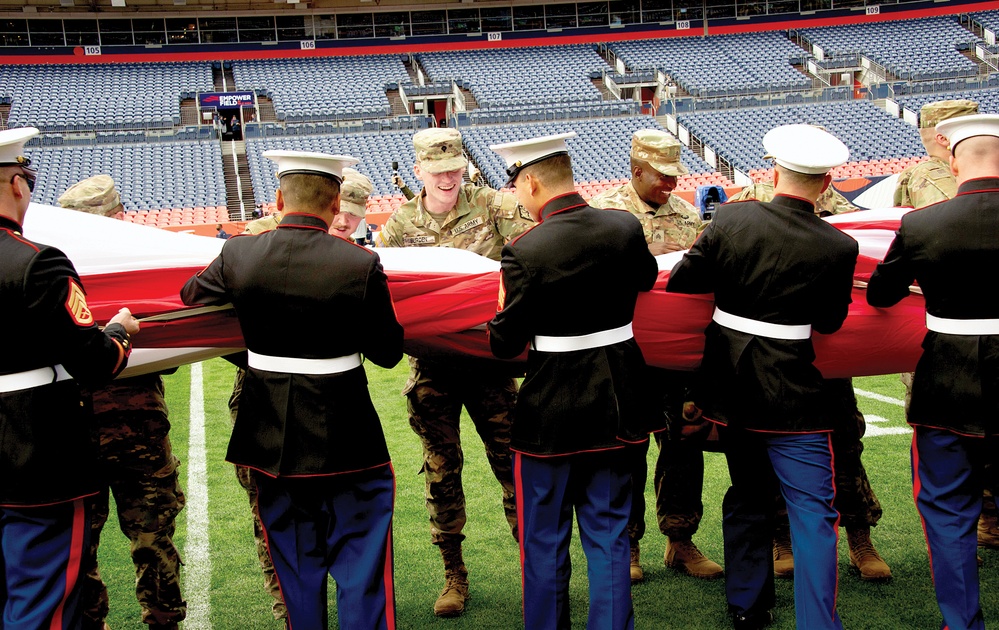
(198, 559)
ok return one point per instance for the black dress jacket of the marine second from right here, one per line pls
(774, 262)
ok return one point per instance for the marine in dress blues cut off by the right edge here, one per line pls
(955, 390)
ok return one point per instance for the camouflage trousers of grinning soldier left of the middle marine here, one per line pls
(435, 399)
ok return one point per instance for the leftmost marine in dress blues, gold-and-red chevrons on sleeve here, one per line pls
(47, 453)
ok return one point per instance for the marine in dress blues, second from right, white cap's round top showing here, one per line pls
(778, 272)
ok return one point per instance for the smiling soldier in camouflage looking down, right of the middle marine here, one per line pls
(670, 224)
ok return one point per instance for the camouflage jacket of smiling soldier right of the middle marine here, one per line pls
(676, 220)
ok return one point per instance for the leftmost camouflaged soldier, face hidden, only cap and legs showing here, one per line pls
(138, 466)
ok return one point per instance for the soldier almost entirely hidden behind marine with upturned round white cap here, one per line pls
(856, 502)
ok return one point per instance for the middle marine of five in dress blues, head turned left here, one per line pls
(569, 287)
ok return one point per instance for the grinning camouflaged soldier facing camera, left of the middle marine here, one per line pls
(479, 219)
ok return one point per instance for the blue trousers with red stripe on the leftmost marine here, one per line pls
(43, 550)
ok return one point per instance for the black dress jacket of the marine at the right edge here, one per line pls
(951, 249)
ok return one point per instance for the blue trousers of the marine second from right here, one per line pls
(801, 464)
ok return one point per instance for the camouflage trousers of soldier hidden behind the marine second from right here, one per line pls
(855, 499)
